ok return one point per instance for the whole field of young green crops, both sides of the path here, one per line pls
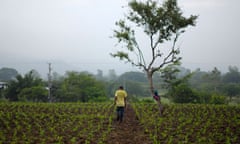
(91, 123)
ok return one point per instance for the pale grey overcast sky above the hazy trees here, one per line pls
(75, 34)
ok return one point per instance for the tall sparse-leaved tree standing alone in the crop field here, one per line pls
(161, 24)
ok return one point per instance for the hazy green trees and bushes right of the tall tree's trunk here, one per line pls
(211, 87)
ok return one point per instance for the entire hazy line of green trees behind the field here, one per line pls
(176, 83)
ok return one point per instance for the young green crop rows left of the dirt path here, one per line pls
(55, 123)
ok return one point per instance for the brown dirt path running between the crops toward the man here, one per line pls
(130, 131)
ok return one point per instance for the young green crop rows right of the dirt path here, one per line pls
(191, 123)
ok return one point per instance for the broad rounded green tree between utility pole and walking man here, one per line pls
(81, 87)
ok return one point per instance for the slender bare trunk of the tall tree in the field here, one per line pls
(150, 74)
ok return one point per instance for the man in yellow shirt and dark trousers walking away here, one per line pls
(120, 102)
